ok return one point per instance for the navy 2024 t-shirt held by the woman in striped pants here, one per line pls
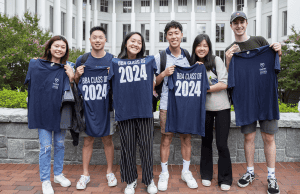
(132, 84)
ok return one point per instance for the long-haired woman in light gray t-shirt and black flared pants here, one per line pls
(217, 109)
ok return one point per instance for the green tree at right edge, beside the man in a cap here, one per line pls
(289, 76)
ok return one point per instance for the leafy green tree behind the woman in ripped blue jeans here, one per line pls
(21, 40)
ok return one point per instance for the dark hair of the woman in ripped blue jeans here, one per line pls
(47, 54)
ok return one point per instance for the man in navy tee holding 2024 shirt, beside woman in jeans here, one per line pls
(98, 58)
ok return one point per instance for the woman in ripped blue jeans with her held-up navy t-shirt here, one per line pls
(48, 78)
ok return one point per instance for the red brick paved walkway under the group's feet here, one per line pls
(24, 178)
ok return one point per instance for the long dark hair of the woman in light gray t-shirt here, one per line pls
(209, 58)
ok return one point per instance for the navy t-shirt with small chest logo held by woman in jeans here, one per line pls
(46, 85)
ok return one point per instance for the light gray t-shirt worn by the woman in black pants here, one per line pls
(216, 101)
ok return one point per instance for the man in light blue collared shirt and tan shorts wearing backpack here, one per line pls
(175, 56)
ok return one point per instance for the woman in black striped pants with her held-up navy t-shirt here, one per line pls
(132, 83)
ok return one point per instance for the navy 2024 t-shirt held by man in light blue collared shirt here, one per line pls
(186, 103)
